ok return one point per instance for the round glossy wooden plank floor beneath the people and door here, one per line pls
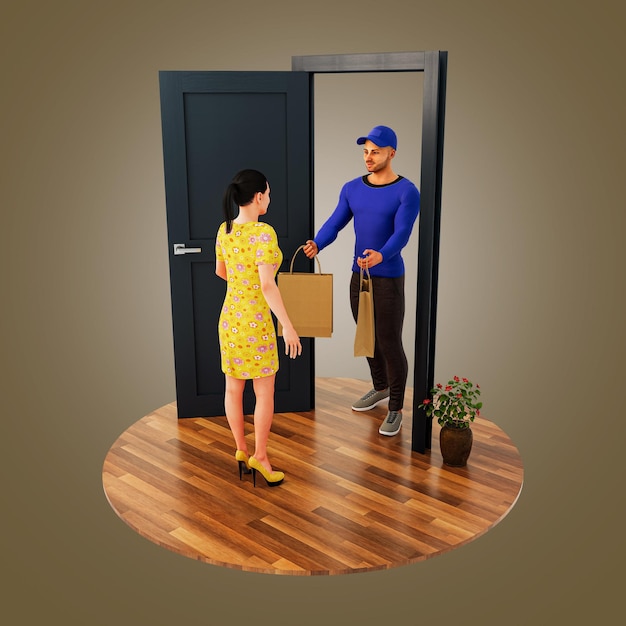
(352, 500)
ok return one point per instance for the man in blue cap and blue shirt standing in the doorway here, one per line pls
(384, 207)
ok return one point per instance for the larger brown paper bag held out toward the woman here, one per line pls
(308, 298)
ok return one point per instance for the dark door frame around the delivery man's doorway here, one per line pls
(434, 65)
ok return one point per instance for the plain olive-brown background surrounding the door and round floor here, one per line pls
(531, 300)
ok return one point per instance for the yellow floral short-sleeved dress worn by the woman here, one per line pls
(246, 328)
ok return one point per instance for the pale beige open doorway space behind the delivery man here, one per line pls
(347, 106)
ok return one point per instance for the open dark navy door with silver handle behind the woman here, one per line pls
(215, 124)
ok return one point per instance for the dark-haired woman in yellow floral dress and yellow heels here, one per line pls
(247, 258)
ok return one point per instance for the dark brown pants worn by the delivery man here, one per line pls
(389, 367)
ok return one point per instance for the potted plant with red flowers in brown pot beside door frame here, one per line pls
(455, 406)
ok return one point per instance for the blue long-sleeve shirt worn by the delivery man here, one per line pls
(384, 216)
